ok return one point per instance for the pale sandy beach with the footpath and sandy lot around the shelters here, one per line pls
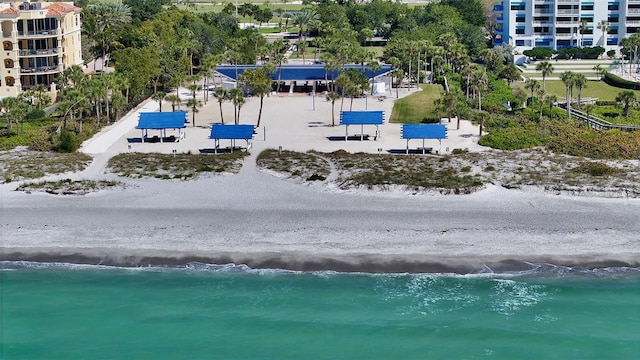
(264, 221)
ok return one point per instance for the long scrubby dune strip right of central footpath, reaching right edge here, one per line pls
(459, 173)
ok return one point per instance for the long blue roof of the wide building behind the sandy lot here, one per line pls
(300, 72)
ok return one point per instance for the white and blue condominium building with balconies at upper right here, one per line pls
(558, 24)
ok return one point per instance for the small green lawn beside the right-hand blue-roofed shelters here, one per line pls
(417, 106)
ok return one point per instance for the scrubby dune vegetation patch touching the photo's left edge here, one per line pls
(24, 165)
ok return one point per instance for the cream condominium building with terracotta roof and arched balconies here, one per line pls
(39, 41)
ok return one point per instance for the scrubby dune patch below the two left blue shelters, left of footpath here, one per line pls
(179, 166)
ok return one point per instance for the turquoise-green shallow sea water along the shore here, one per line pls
(204, 312)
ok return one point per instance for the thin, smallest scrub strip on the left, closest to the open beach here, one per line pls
(69, 187)
